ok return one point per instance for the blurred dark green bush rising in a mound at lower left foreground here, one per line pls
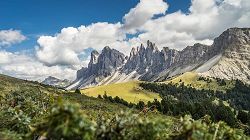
(65, 121)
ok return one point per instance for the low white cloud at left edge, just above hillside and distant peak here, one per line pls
(26, 67)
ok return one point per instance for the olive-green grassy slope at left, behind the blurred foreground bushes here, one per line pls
(92, 106)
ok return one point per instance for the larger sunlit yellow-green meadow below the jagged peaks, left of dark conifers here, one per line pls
(129, 91)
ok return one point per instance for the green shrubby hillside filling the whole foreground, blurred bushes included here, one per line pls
(35, 111)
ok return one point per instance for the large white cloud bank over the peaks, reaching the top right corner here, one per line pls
(205, 20)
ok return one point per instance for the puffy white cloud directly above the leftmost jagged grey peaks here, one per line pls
(64, 48)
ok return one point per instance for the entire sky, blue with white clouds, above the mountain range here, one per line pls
(40, 38)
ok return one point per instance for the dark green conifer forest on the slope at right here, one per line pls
(180, 100)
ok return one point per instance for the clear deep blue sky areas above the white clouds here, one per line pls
(47, 17)
